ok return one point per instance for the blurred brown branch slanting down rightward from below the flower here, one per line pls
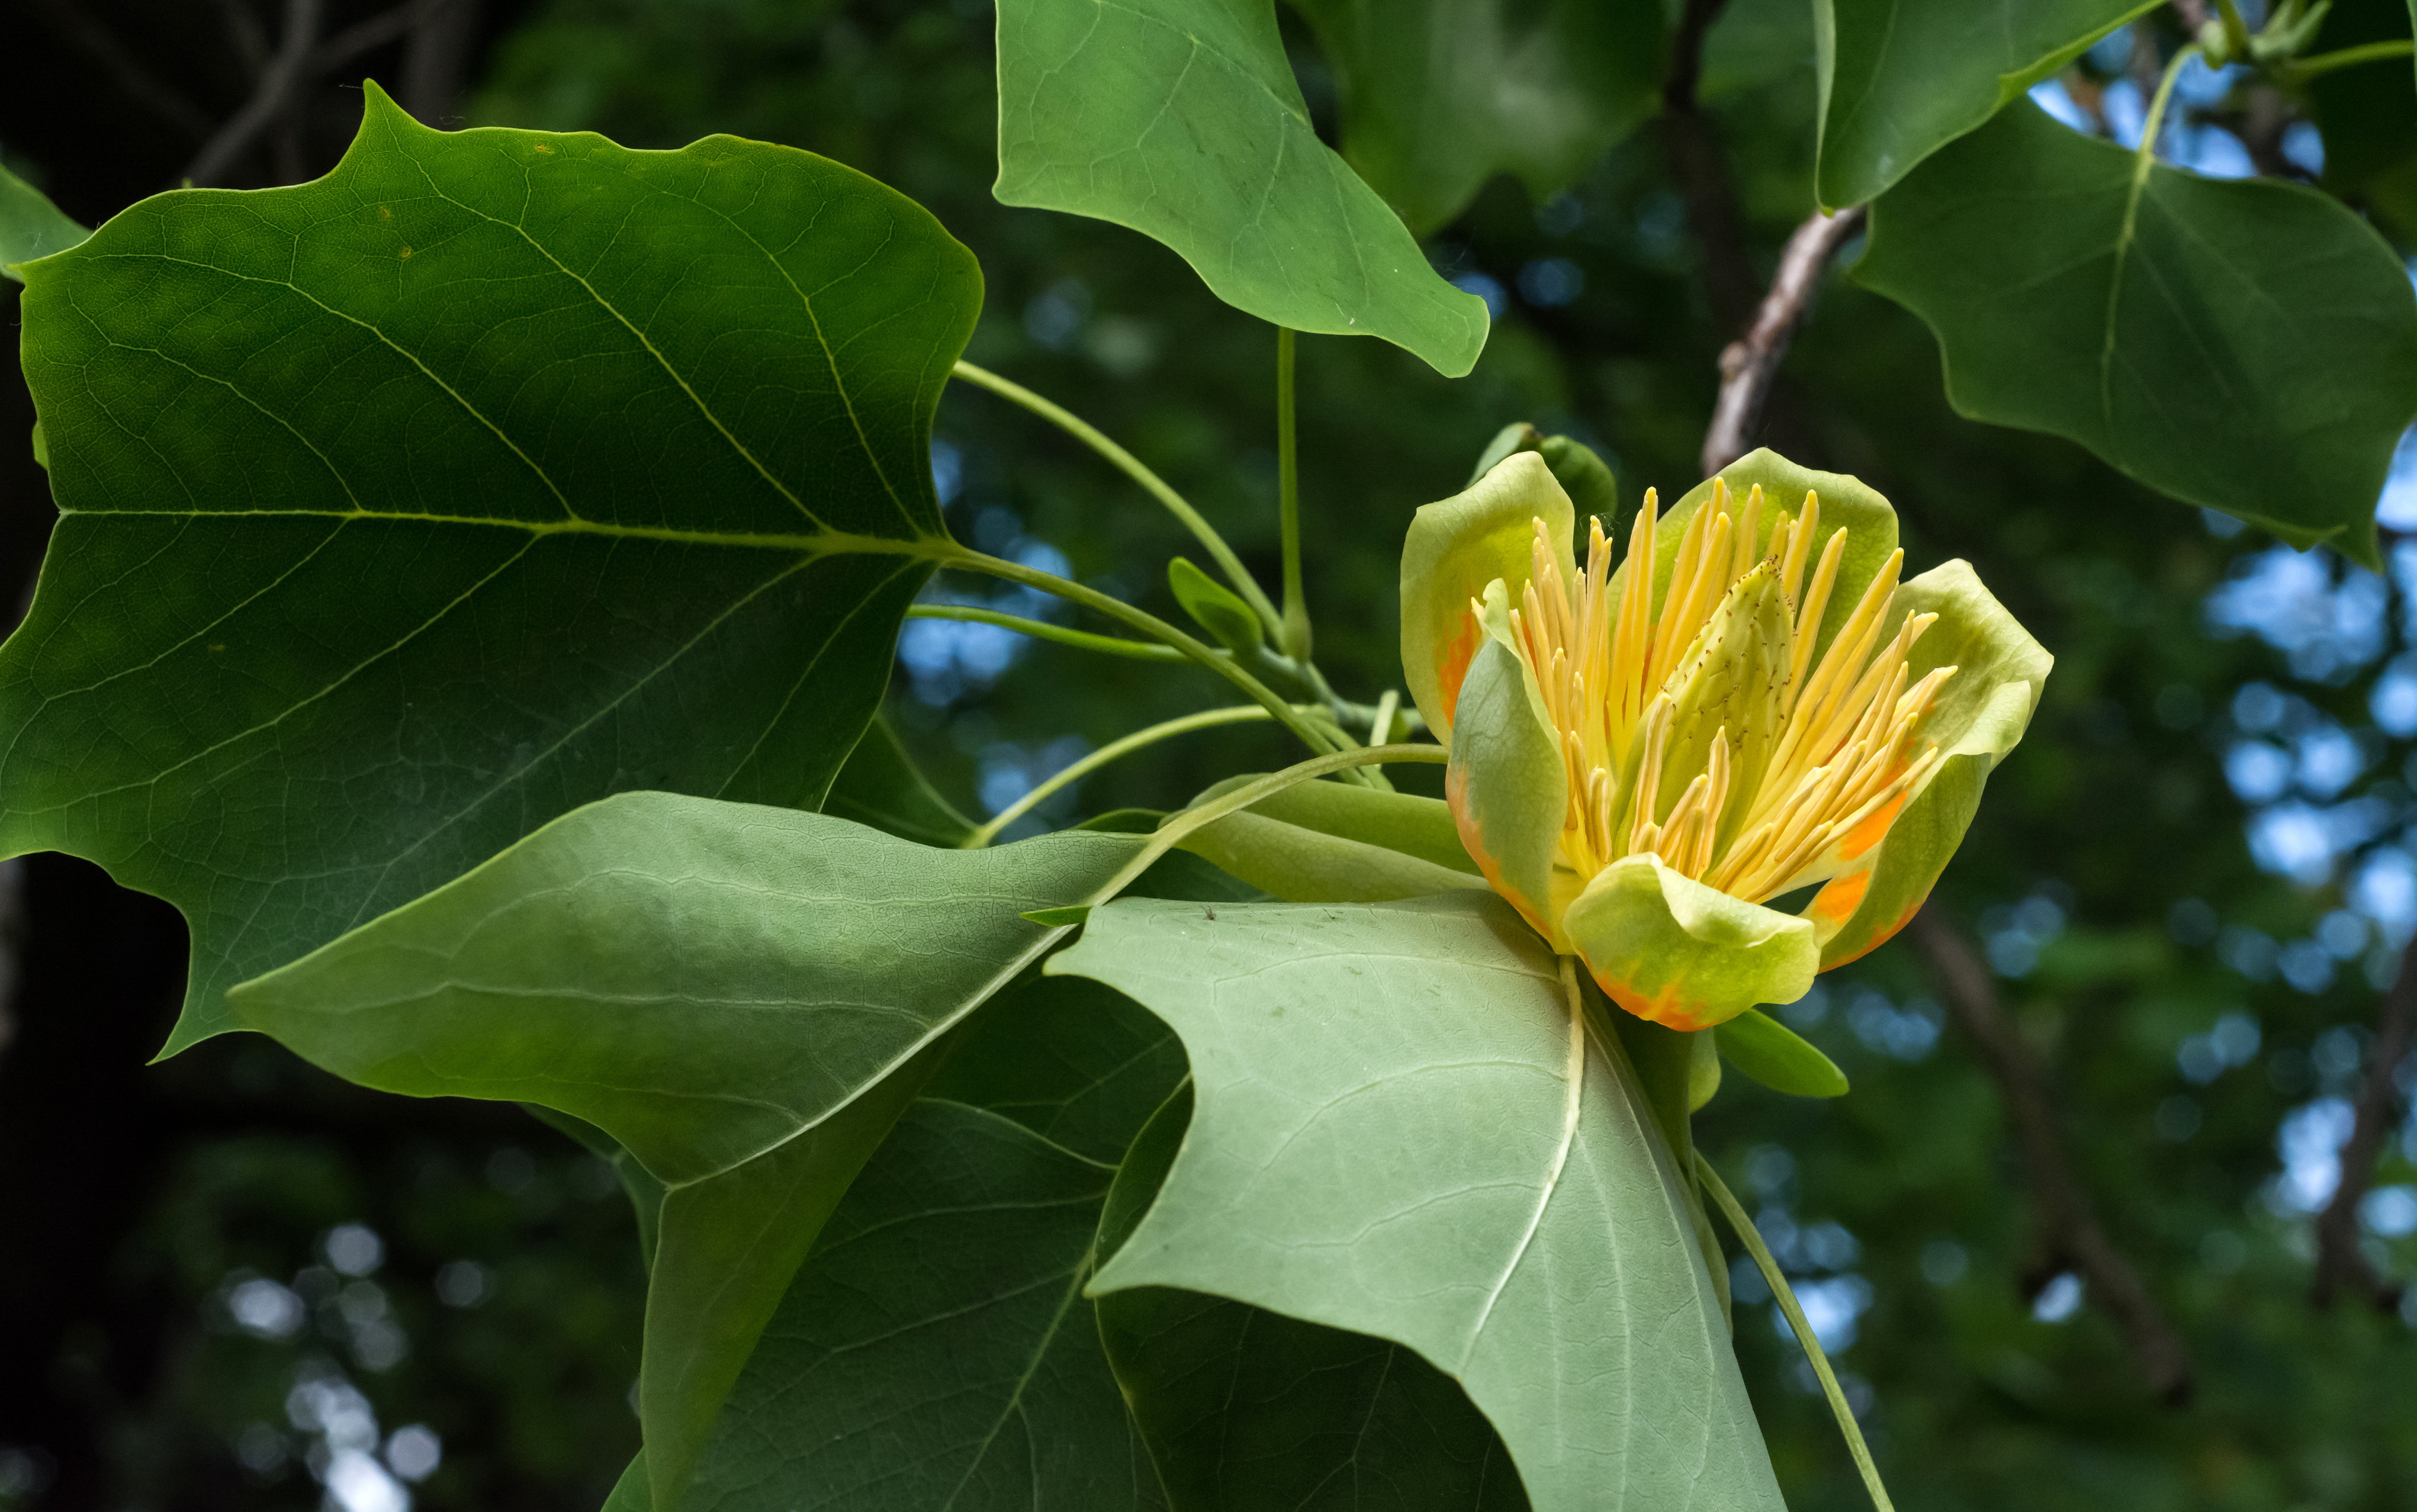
(2068, 1233)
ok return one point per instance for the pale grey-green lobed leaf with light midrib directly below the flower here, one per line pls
(1389, 1141)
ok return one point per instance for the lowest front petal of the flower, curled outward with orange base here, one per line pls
(1686, 955)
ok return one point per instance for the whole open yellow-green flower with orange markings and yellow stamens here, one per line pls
(1751, 706)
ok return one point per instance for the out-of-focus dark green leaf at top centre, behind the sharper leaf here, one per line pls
(1442, 95)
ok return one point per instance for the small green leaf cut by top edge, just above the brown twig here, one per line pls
(1903, 78)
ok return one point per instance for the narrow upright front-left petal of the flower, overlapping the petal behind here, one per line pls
(1507, 784)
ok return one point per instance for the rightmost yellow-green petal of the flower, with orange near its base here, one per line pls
(1978, 721)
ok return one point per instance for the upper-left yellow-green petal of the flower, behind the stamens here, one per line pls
(1454, 552)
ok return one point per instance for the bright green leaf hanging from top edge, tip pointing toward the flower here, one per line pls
(1183, 122)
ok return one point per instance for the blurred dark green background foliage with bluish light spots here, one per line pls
(231, 1281)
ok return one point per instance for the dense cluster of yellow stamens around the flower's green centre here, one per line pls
(1807, 762)
